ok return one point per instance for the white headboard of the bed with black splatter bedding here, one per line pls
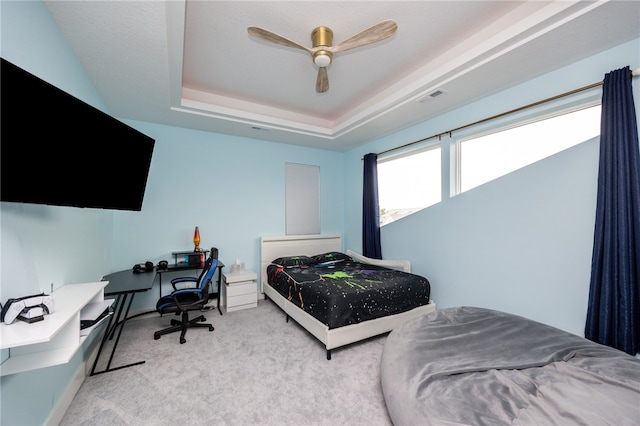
(291, 245)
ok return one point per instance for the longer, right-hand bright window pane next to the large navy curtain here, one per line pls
(488, 157)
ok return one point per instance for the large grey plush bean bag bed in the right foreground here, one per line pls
(475, 366)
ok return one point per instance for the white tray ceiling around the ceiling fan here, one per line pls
(192, 63)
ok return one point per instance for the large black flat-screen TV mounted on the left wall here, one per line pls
(56, 149)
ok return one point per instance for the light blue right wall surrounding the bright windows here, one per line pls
(521, 243)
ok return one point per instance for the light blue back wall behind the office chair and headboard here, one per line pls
(231, 188)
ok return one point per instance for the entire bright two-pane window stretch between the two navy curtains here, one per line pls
(411, 181)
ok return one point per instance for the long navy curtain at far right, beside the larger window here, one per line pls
(613, 315)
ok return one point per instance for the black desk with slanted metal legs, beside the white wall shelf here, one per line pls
(124, 285)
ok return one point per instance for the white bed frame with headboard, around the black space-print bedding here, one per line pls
(291, 245)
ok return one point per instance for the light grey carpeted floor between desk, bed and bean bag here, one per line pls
(254, 369)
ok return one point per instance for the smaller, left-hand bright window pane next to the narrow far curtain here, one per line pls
(408, 183)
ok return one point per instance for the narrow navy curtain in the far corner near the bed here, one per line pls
(370, 209)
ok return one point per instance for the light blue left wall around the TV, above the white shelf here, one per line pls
(39, 243)
